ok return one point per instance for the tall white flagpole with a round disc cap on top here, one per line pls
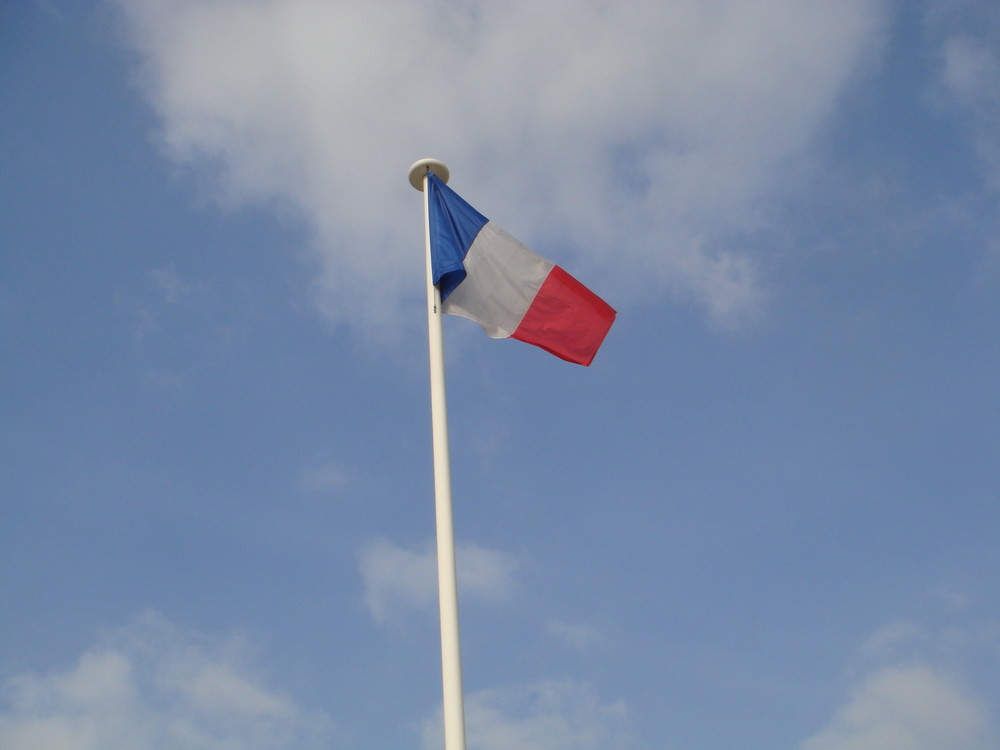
(451, 656)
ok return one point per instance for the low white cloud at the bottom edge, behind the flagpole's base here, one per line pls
(553, 715)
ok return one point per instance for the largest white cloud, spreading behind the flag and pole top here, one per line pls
(647, 136)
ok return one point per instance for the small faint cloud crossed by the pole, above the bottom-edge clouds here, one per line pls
(398, 579)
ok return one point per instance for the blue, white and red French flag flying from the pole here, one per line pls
(486, 275)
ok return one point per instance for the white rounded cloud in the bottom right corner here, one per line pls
(911, 707)
